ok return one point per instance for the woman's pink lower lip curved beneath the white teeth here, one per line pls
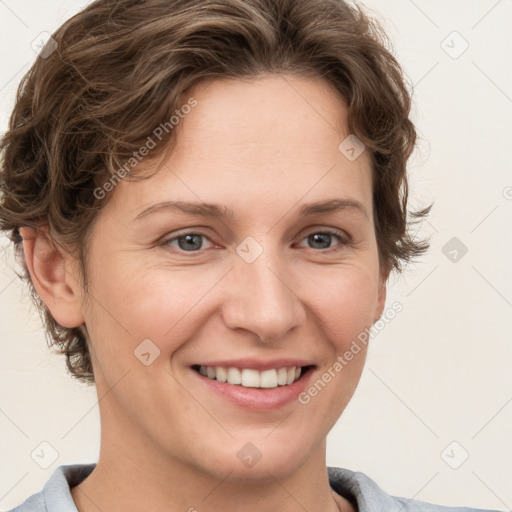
(258, 399)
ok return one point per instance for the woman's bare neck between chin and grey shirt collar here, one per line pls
(141, 478)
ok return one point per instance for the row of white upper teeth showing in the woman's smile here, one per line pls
(252, 378)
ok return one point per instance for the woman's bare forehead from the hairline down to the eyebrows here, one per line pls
(258, 141)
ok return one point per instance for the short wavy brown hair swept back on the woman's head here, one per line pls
(119, 70)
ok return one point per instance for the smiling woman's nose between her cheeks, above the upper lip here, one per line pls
(261, 297)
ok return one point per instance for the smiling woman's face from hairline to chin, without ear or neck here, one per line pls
(269, 285)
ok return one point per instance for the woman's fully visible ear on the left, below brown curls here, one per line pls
(54, 276)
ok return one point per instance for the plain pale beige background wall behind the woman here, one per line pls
(437, 387)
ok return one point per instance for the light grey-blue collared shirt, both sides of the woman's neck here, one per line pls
(358, 488)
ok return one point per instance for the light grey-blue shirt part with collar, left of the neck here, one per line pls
(56, 494)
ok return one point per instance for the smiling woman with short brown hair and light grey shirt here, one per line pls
(208, 199)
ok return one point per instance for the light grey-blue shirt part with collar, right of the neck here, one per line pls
(363, 492)
